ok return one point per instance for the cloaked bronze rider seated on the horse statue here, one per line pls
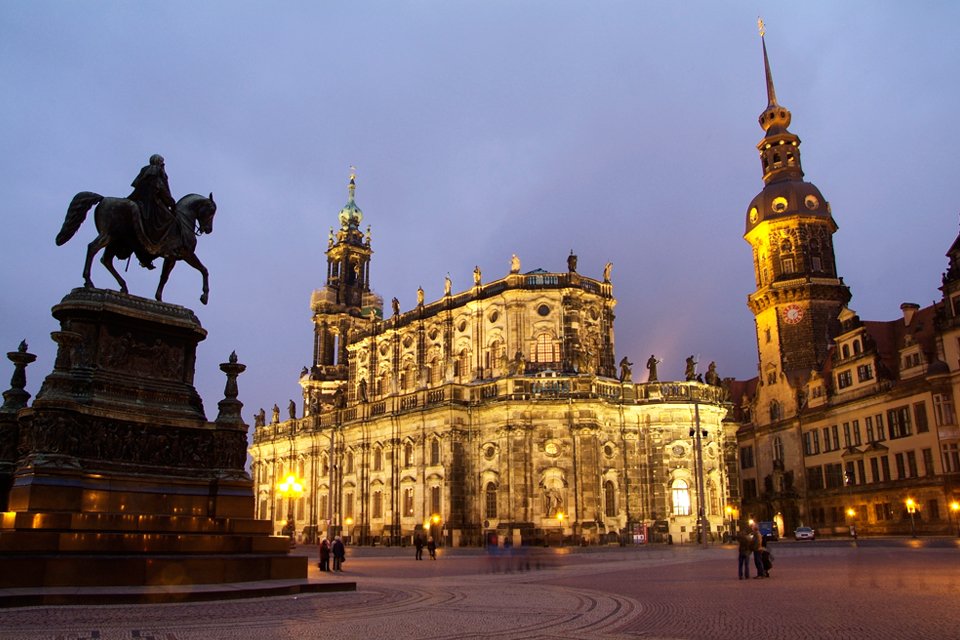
(151, 192)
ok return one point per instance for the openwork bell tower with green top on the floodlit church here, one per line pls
(341, 307)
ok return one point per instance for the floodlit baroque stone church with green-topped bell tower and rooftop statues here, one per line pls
(496, 410)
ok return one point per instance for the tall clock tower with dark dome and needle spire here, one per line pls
(798, 295)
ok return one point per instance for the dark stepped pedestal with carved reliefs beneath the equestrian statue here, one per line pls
(119, 480)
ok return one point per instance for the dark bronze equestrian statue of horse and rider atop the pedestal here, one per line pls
(148, 223)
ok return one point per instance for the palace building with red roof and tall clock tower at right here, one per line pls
(849, 422)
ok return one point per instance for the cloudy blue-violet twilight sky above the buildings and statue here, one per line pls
(622, 130)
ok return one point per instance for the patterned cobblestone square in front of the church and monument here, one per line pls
(815, 591)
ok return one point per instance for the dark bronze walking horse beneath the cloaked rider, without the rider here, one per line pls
(121, 235)
